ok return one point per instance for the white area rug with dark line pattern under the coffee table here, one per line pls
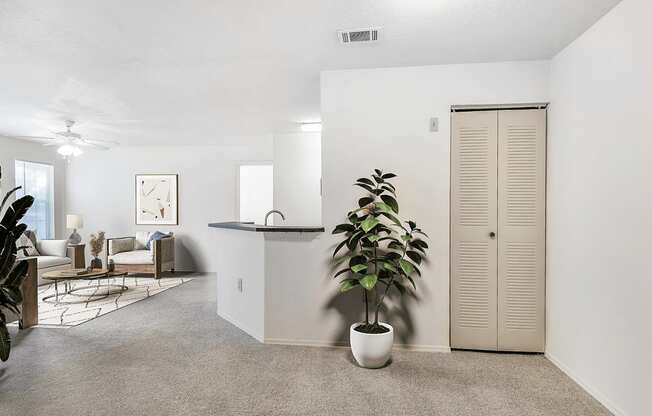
(64, 314)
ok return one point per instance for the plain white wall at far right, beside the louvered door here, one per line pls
(600, 210)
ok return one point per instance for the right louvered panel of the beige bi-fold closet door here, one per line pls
(521, 230)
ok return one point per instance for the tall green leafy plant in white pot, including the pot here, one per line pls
(380, 252)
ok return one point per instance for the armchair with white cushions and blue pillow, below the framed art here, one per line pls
(130, 254)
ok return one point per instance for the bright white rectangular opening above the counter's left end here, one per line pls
(256, 189)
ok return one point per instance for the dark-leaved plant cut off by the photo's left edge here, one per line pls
(12, 273)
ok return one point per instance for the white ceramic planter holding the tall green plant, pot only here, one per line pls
(371, 350)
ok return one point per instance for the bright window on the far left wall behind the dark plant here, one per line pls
(37, 180)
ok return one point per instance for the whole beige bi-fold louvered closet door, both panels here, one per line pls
(498, 230)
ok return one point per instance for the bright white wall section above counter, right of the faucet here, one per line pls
(297, 176)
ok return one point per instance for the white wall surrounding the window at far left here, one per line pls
(11, 149)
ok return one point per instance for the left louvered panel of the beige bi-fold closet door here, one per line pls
(473, 216)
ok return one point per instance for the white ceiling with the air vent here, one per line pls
(224, 72)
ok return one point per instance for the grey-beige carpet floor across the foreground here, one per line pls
(172, 355)
